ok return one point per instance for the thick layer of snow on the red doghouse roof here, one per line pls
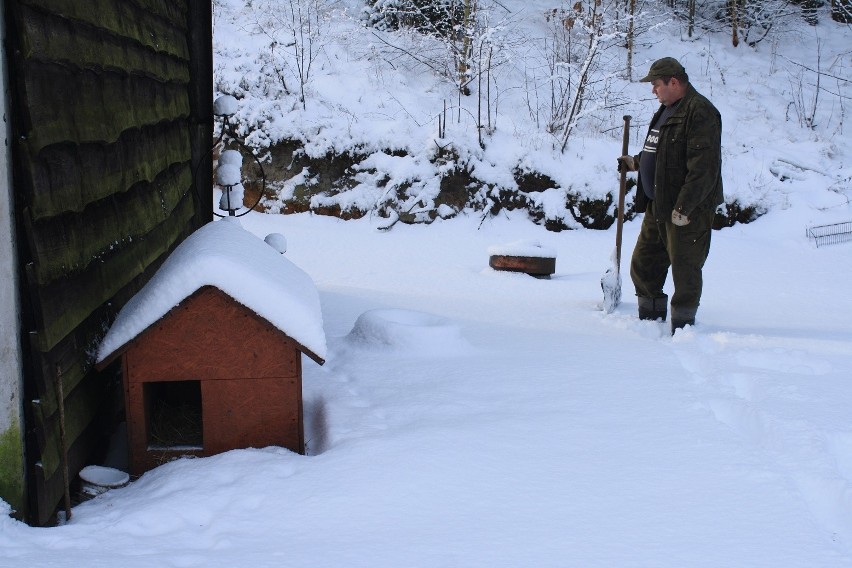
(224, 255)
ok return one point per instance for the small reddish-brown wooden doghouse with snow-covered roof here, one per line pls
(220, 369)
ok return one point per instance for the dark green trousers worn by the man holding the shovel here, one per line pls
(662, 244)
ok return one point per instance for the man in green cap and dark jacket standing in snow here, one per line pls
(680, 187)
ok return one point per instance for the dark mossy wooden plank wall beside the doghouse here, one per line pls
(111, 114)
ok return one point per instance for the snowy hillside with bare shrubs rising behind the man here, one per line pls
(392, 102)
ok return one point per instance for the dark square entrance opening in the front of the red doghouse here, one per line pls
(174, 415)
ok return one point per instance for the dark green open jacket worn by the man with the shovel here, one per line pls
(688, 177)
